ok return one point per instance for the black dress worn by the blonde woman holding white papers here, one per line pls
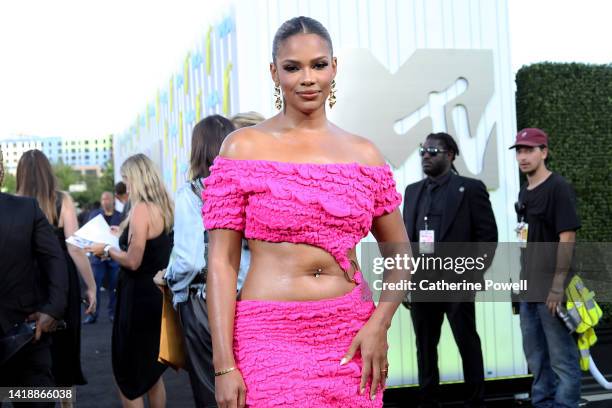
(137, 323)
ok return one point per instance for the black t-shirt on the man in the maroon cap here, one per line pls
(550, 209)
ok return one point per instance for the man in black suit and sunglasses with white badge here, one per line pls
(445, 207)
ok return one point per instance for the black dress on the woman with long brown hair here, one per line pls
(66, 344)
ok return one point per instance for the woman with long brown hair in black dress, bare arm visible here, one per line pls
(35, 179)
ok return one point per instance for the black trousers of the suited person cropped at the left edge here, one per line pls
(30, 367)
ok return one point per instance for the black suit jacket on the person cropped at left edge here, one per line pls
(33, 274)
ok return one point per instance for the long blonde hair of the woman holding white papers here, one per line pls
(146, 186)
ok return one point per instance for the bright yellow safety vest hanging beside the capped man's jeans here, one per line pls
(582, 308)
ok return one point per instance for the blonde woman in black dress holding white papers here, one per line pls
(146, 243)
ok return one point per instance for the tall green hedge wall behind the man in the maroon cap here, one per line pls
(573, 104)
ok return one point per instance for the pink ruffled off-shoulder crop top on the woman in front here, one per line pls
(330, 206)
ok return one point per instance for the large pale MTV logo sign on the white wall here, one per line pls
(433, 91)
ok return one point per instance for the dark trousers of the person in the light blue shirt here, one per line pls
(194, 319)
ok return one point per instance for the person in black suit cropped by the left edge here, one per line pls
(33, 286)
